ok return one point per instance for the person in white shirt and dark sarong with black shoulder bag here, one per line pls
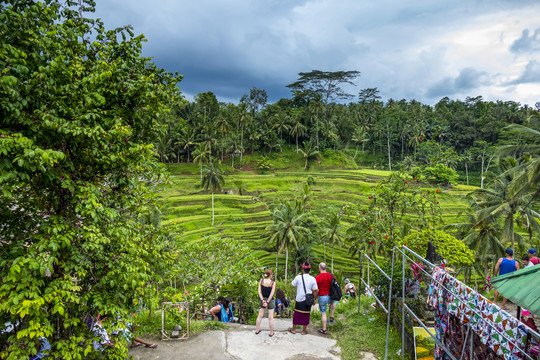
(305, 284)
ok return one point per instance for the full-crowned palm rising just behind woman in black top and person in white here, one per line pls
(286, 229)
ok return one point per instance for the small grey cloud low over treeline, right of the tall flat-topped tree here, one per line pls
(468, 79)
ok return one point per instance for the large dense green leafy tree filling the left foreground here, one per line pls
(79, 107)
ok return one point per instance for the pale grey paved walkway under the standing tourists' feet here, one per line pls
(239, 342)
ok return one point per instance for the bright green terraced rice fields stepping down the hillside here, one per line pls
(242, 210)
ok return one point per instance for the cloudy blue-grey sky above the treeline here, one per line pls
(417, 49)
